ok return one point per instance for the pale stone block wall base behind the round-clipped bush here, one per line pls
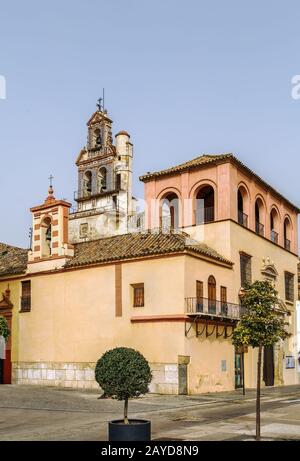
(82, 375)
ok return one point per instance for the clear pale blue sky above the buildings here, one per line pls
(184, 78)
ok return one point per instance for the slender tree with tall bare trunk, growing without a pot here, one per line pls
(260, 326)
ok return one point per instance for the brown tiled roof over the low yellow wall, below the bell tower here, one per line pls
(137, 245)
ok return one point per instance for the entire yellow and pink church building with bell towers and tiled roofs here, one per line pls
(171, 289)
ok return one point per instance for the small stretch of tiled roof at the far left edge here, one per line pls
(13, 260)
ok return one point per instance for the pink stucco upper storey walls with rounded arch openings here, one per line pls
(226, 178)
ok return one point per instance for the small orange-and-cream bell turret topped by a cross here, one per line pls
(50, 241)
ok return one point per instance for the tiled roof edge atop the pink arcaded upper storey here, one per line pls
(207, 159)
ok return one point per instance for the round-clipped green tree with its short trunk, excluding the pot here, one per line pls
(123, 373)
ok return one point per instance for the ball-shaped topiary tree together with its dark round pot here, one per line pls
(124, 373)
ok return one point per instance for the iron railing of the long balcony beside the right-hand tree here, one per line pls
(211, 307)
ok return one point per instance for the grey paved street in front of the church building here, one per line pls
(39, 413)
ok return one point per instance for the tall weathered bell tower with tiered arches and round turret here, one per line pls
(104, 195)
